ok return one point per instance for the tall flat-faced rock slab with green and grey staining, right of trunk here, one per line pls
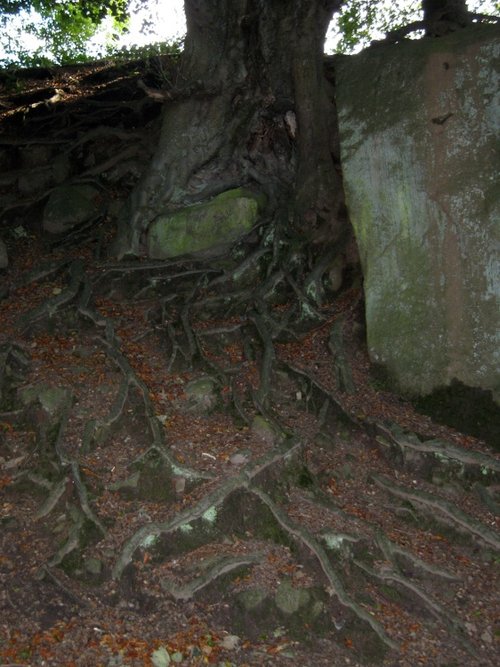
(419, 125)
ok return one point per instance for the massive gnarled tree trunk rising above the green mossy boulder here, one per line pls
(251, 107)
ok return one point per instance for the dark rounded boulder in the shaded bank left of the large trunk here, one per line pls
(69, 206)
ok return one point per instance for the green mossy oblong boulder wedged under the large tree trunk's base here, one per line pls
(206, 227)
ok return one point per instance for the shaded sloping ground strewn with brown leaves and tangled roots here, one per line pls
(283, 511)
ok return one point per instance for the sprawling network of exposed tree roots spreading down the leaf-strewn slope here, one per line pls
(355, 552)
